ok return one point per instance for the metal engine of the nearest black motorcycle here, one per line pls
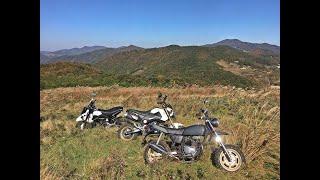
(191, 148)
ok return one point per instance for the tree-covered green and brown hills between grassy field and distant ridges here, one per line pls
(168, 66)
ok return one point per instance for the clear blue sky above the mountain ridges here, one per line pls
(156, 23)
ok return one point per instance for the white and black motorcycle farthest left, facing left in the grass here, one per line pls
(91, 116)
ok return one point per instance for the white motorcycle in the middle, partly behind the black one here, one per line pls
(137, 121)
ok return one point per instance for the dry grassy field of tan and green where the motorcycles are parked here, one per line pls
(251, 116)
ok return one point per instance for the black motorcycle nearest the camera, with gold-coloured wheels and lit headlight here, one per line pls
(186, 144)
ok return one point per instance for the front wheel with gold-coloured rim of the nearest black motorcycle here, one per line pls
(221, 161)
